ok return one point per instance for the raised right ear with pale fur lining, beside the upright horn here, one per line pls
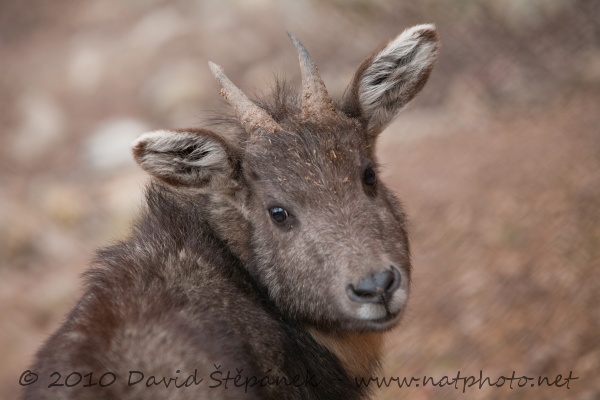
(391, 77)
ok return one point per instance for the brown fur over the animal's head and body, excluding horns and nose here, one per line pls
(207, 283)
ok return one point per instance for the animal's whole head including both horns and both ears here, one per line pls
(295, 191)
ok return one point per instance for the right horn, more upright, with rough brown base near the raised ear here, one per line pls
(315, 99)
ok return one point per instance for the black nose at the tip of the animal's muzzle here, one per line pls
(375, 288)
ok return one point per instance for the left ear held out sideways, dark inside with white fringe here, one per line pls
(192, 158)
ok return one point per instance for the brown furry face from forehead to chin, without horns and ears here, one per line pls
(324, 227)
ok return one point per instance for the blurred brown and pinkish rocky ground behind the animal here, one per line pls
(497, 163)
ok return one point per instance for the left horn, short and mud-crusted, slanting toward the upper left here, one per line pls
(251, 116)
